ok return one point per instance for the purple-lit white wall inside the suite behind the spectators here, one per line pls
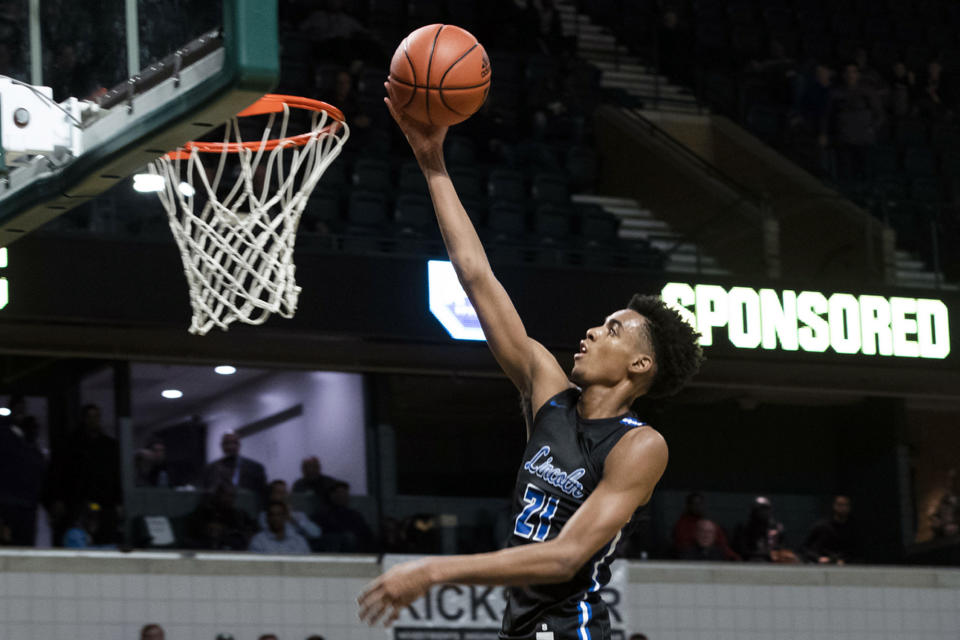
(331, 426)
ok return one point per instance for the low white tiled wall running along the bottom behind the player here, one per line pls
(51, 595)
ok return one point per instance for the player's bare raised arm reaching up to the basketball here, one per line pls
(528, 364)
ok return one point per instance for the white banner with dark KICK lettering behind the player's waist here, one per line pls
(470, 612)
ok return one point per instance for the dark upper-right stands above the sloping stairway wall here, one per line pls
(912, 179)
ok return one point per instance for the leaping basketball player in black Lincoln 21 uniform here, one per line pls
(589, 463)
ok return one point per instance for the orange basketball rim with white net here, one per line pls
(237, 241)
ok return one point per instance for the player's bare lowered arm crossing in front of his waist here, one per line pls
(631, 472)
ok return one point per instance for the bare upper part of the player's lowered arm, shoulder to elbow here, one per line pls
(631, 471)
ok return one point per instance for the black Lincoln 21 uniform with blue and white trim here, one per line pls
(562, 465)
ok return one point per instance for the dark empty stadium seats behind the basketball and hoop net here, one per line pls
(514, 172)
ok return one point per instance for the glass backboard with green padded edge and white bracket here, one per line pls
(127, 80)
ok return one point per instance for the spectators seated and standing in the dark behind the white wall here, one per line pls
(80, 491)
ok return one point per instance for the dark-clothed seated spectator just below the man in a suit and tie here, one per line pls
(217, 523)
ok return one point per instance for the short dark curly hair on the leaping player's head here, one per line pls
(676, 349)
